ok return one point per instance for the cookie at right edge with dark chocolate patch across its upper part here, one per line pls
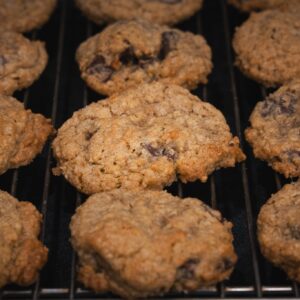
(274, 133)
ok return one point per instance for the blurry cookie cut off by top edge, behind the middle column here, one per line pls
(156, 11)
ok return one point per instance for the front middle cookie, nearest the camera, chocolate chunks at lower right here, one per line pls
(143, 243)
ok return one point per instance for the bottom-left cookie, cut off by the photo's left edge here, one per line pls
(22, 255)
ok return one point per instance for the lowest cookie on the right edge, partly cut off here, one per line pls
(279, 230)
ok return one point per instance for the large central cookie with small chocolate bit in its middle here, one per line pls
(144, 137)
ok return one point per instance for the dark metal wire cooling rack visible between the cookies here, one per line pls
(221, 291)
